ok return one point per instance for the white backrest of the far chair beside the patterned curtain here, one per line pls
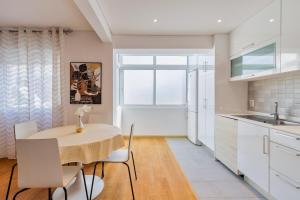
(25, 129)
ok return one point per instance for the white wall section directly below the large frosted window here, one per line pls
(155, 121)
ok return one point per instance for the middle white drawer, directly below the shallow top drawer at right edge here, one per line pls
(285, 160)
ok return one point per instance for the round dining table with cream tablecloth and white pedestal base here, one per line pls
(95, 143)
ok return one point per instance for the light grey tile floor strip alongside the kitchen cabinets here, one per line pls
(210, 179)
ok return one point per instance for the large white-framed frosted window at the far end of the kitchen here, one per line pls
(154, 80)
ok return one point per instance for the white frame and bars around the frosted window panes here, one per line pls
(154, 67)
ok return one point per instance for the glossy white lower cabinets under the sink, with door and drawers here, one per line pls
(271, 159)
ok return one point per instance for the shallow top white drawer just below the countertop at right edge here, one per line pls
(285, 139)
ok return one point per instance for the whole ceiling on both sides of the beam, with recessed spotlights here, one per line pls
(135, 17)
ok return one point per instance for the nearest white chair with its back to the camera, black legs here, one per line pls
(39, 166)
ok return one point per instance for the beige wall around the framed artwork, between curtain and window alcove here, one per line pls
(82, 46)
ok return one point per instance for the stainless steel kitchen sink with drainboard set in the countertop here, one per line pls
(268, 120)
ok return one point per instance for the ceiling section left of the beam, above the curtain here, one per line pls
(42, 13)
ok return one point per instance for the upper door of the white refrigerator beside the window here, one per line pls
(192, 91)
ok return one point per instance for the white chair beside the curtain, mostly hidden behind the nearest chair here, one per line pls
(21, 131)
